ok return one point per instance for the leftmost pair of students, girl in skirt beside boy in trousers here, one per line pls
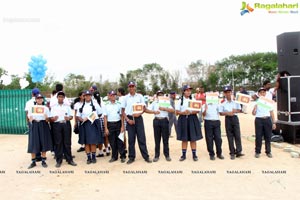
(49, 128)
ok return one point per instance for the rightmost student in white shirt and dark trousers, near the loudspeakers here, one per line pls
(264, 123)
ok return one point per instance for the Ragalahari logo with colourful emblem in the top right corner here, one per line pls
(272, 8)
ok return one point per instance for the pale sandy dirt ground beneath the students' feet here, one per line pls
(242, 178)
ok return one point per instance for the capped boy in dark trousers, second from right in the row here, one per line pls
(229, 108)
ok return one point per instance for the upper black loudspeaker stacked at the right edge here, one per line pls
(288, 47)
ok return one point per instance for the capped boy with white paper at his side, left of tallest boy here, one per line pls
(114, 125)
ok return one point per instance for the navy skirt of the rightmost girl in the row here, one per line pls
(188, 128)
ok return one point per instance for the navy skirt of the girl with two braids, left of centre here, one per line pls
(91, 133)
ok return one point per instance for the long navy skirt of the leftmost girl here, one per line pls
(39, 138)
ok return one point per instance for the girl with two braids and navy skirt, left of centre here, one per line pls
(90, 127)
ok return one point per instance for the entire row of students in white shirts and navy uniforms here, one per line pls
(107, 123)
